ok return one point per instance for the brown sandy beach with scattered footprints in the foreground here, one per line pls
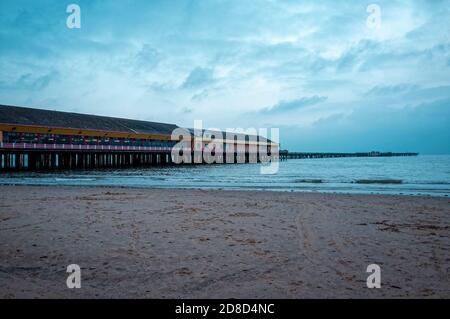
(150, 243)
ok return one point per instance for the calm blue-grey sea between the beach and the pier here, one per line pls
(426, 175)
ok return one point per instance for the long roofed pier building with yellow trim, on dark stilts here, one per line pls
(35, 139)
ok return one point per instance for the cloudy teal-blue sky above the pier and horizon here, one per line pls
(337, 76)
